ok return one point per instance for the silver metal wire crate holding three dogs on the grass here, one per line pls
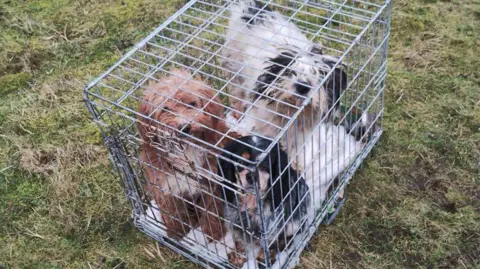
(236, 124)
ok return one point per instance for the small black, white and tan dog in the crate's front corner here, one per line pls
(285, 200)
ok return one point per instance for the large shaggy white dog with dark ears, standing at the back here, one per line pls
(278, 69)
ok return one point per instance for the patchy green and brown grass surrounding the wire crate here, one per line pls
(414, 204)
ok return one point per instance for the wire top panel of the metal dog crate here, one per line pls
(191, 69)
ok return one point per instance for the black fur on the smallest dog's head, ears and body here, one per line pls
(284, 191)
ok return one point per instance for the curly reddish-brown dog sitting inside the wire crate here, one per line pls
(179, 115)
